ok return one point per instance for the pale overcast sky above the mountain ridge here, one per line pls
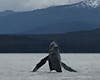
(25, 5)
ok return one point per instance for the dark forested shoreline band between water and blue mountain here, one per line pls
(71, 42)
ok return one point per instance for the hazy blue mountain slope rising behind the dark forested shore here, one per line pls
(56, 19)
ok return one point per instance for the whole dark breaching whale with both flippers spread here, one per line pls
(54, 60)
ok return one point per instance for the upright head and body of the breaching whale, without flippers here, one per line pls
(54, 58)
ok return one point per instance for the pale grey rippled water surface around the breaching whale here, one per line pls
(19, 67)
